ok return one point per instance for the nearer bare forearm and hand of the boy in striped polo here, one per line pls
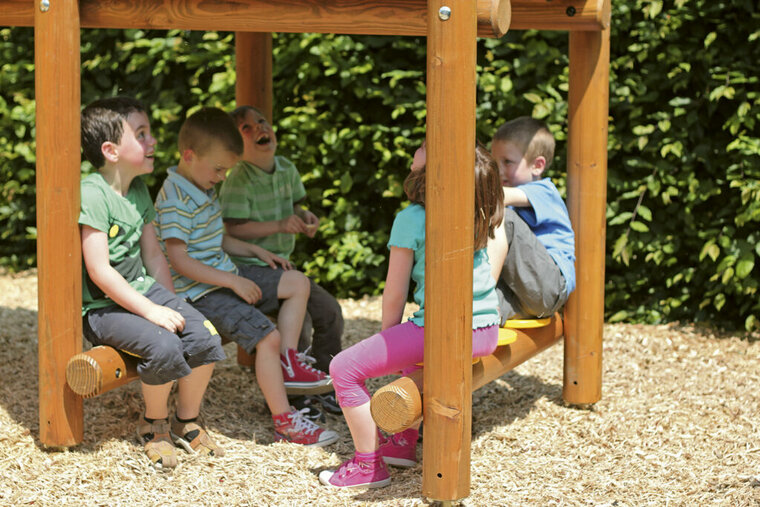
(194, 269)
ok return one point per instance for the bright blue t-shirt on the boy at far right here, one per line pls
(547, 217)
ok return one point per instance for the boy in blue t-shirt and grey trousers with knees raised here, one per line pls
(533, 254)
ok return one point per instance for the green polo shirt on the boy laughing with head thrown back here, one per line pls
(250, 193)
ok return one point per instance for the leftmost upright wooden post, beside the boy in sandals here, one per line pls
(59, 256)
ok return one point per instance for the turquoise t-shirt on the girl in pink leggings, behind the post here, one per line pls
(408, 231)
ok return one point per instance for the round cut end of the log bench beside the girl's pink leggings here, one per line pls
(396, 406)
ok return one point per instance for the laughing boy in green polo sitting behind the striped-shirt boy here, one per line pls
(262, 204)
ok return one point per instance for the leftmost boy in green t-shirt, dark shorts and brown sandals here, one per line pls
(128, 296)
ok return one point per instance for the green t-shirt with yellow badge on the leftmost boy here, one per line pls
(122, 219)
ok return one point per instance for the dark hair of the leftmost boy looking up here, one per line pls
(103, 121)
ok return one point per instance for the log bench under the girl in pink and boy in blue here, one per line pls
(398, 405)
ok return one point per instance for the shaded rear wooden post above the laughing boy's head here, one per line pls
(253, 63)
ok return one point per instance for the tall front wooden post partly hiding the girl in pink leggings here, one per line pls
(450, 191)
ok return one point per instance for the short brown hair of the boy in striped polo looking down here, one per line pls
(207, 126)
